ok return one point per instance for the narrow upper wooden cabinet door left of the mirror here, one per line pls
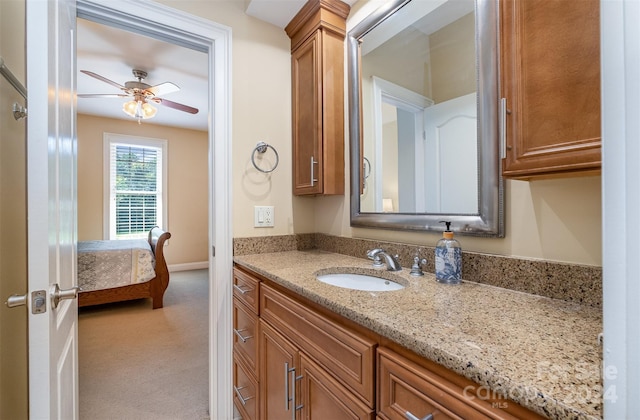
(307, 116)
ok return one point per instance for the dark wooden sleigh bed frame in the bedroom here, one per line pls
(153, 288)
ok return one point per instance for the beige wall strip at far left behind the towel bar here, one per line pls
(13, 220)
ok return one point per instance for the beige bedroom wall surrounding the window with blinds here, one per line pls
(187, 159)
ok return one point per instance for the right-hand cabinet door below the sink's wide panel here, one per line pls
(322, 397)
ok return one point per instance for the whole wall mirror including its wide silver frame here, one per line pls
(423, 99)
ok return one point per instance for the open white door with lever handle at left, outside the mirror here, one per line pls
(51, 208)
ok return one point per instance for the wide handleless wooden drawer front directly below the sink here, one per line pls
(345, 354)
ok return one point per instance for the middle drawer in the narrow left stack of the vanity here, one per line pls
(245, 329)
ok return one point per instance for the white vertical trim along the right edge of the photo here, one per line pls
(620, 51)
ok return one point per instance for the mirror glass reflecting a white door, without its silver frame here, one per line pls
(419, 89)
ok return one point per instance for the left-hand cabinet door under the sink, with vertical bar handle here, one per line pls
(278, 361)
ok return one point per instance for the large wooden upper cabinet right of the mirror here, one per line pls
(550, 59)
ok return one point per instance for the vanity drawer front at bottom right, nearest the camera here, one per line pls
(406, 387)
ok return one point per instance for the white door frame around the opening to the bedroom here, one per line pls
(171, 25)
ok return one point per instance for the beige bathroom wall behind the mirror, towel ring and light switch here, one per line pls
(558, 220)
